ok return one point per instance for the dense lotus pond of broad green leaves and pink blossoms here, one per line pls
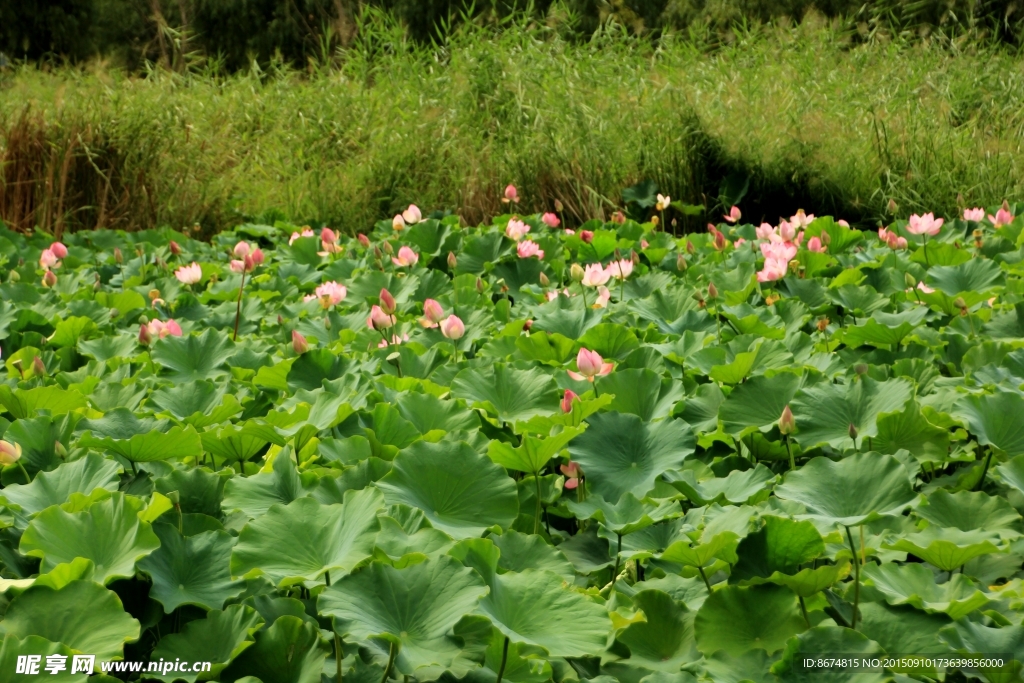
(516, 452)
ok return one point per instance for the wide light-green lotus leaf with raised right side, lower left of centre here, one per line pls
(305, 540)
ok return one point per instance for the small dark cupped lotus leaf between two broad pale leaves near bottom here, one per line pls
(665, 641)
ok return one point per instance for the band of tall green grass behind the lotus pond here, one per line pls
(812, 118)
